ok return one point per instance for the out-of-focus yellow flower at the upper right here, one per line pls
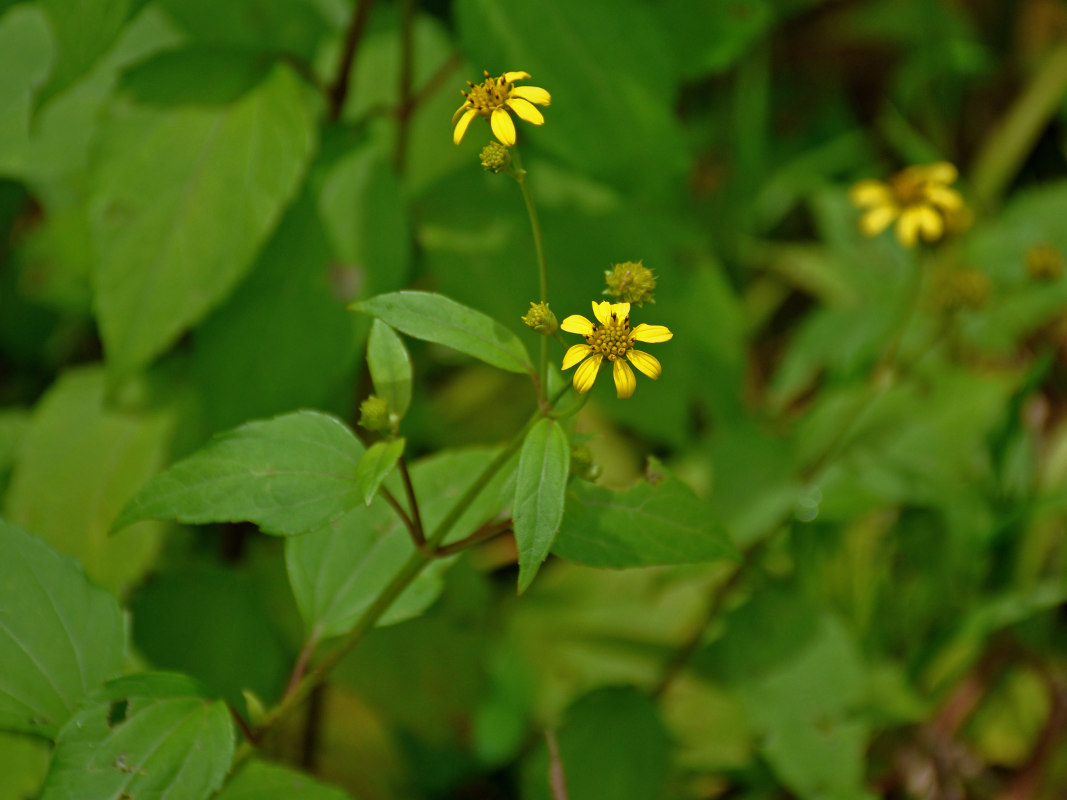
(919, 199)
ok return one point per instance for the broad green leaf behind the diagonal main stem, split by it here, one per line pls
(338, 571)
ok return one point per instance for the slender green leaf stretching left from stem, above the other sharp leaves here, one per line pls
(437, 318)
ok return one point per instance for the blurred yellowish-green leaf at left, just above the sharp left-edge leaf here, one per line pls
(81, 461)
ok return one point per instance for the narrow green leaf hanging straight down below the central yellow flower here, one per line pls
(545, 466)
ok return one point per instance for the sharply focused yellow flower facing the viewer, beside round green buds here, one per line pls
(612, 340)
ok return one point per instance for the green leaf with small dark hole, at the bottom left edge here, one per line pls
(147, 735)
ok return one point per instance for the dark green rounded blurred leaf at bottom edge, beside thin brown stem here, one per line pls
(612, 744)
